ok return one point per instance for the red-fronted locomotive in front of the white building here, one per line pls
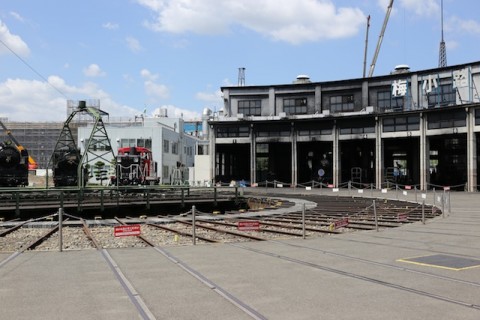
(135, 166)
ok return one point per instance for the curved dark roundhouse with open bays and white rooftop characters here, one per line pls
(412, 128)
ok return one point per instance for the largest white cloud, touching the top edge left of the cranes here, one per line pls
(283, 20)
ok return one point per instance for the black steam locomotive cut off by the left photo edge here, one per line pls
(13, 165)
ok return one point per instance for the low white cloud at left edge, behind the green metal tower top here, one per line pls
(33, 100)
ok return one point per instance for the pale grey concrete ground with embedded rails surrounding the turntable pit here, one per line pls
(416, 271)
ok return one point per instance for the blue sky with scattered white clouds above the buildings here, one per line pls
(137, 56)
